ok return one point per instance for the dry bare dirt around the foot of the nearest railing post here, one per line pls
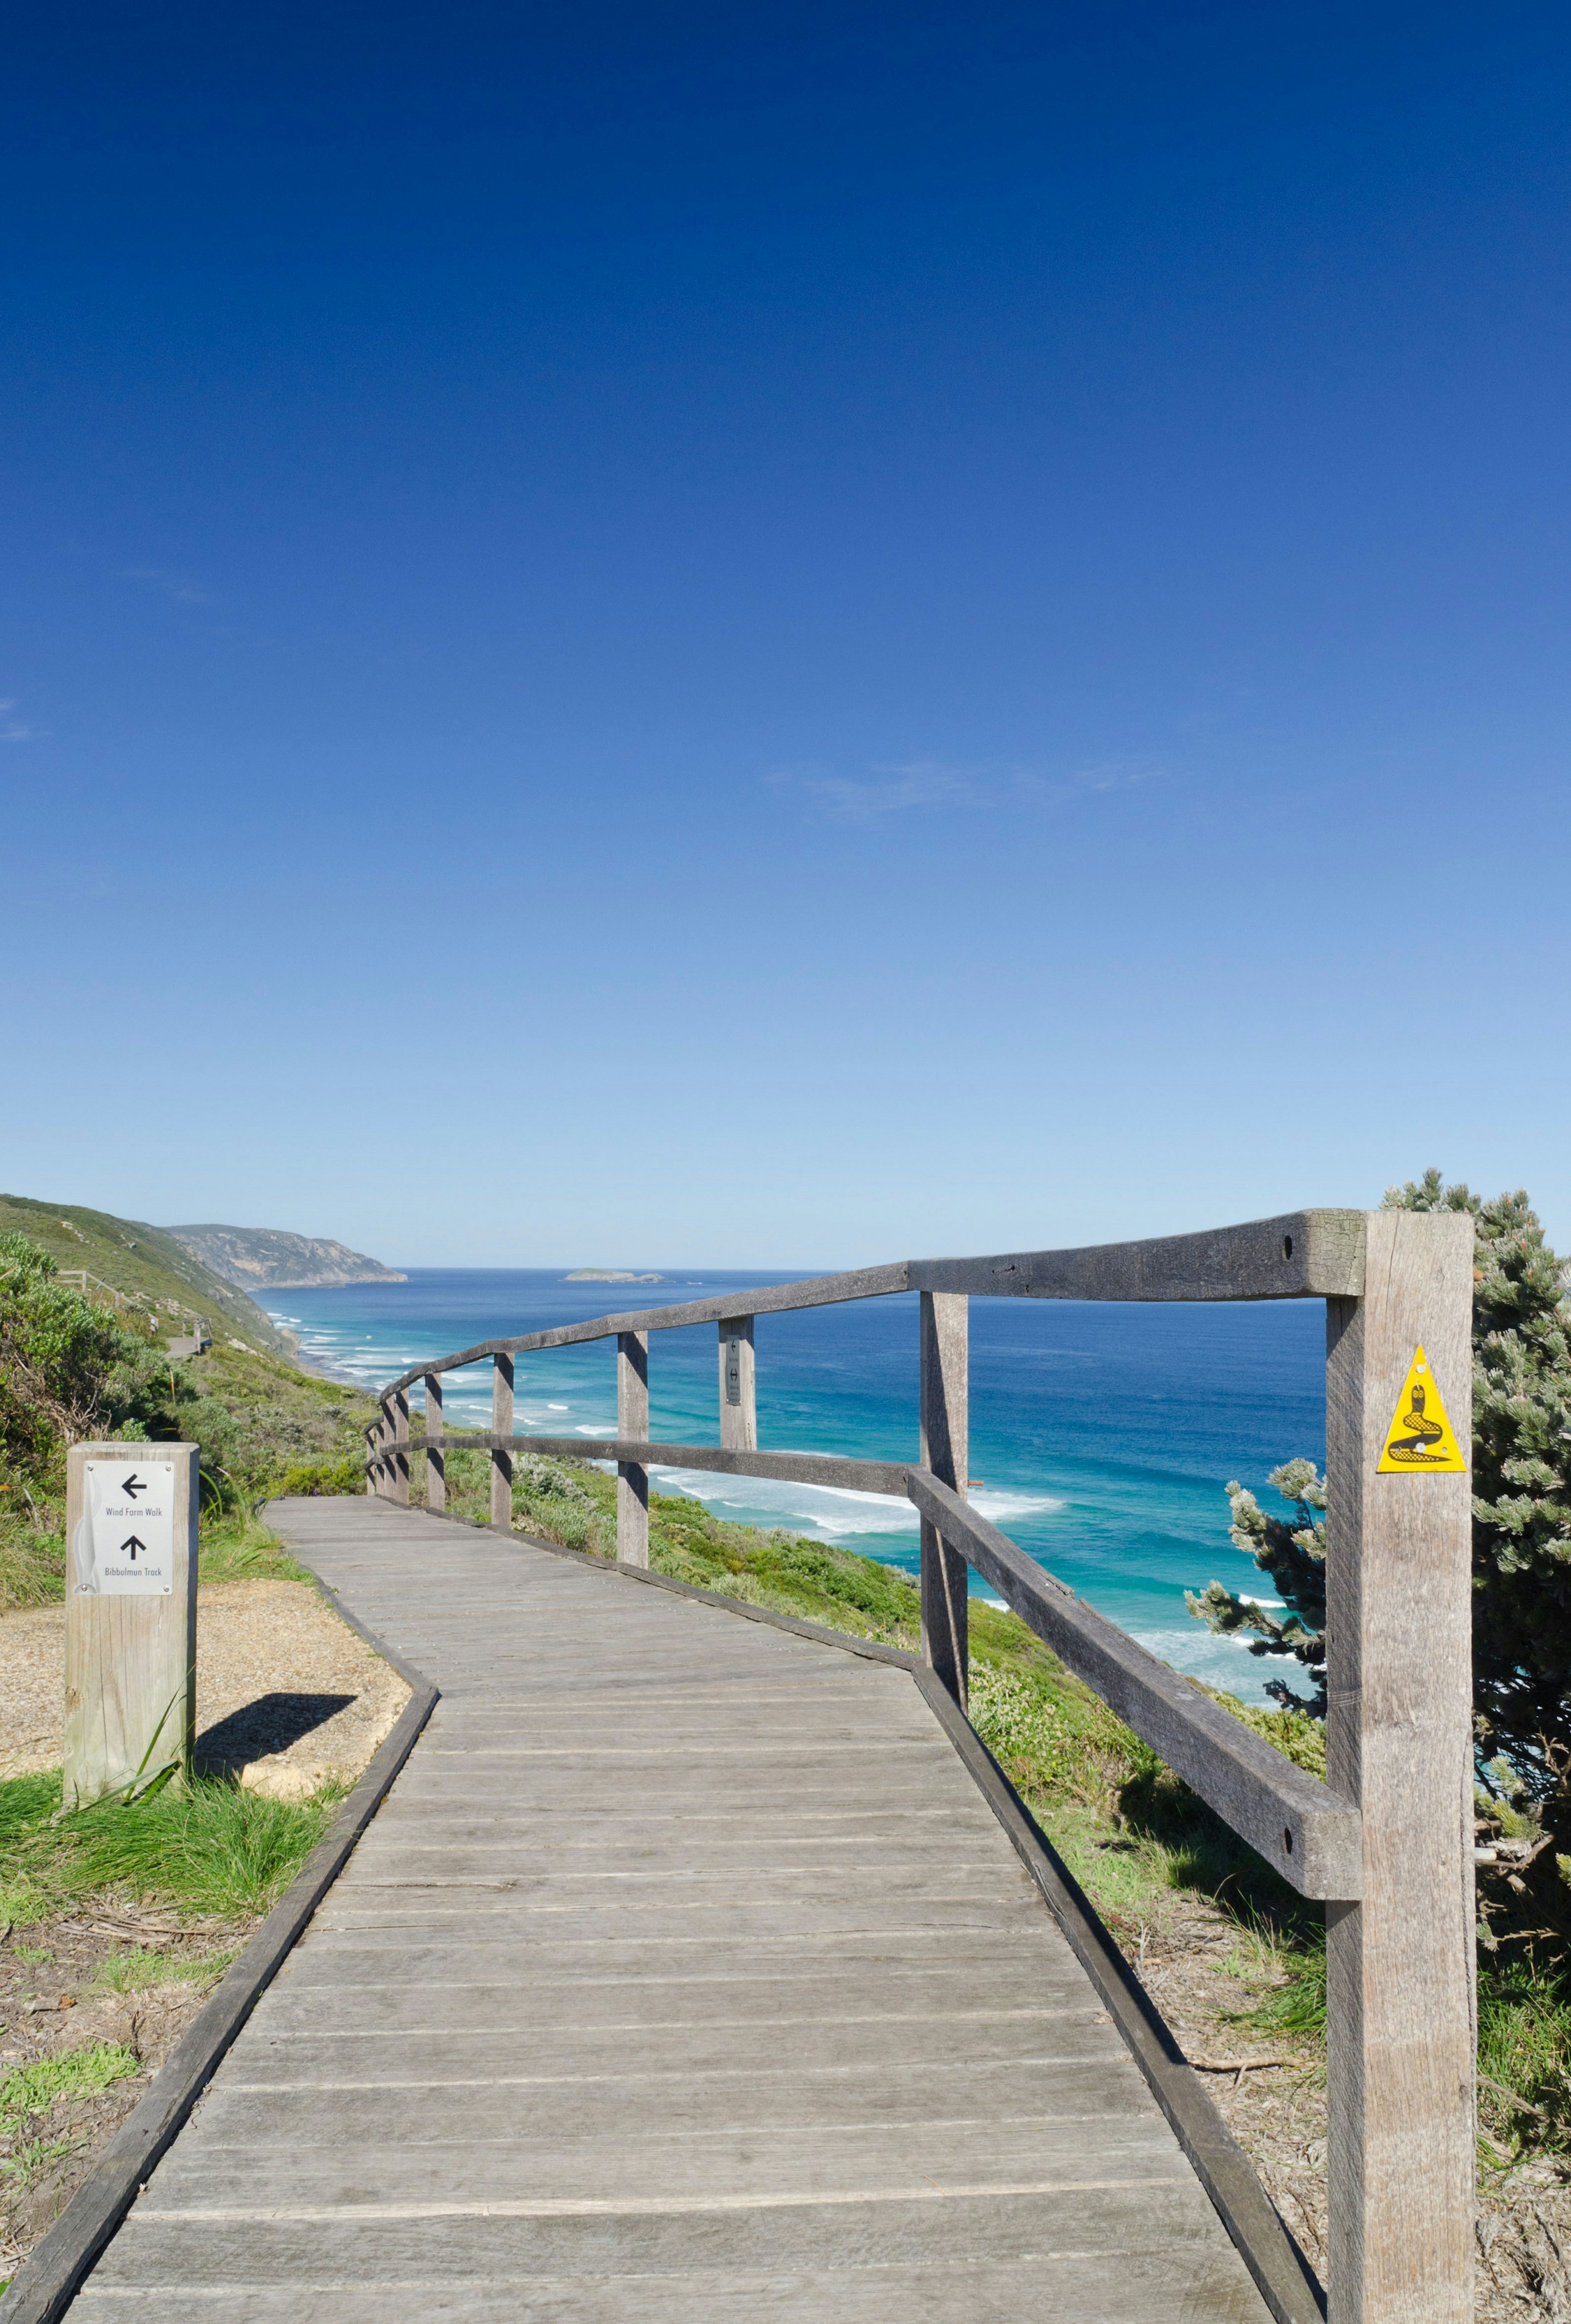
(1272, 2097)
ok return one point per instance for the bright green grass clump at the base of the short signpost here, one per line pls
(210, 1851)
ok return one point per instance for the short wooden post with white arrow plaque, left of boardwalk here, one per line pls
(131, 1570)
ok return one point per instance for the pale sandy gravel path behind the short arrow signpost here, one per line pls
(289, 1698)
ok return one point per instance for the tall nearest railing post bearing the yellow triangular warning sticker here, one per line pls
(1400, 1746)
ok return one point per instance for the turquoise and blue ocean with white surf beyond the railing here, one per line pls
(1103, 1435)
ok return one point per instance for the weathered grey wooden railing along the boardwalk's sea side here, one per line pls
(1386, 1842)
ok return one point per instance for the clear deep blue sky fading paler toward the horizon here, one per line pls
(784, 636)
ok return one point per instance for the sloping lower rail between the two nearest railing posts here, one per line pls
(1305, 1830)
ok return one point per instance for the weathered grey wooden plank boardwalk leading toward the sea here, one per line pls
(682, 1977)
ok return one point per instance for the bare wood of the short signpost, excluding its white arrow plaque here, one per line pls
(131, 1660)
